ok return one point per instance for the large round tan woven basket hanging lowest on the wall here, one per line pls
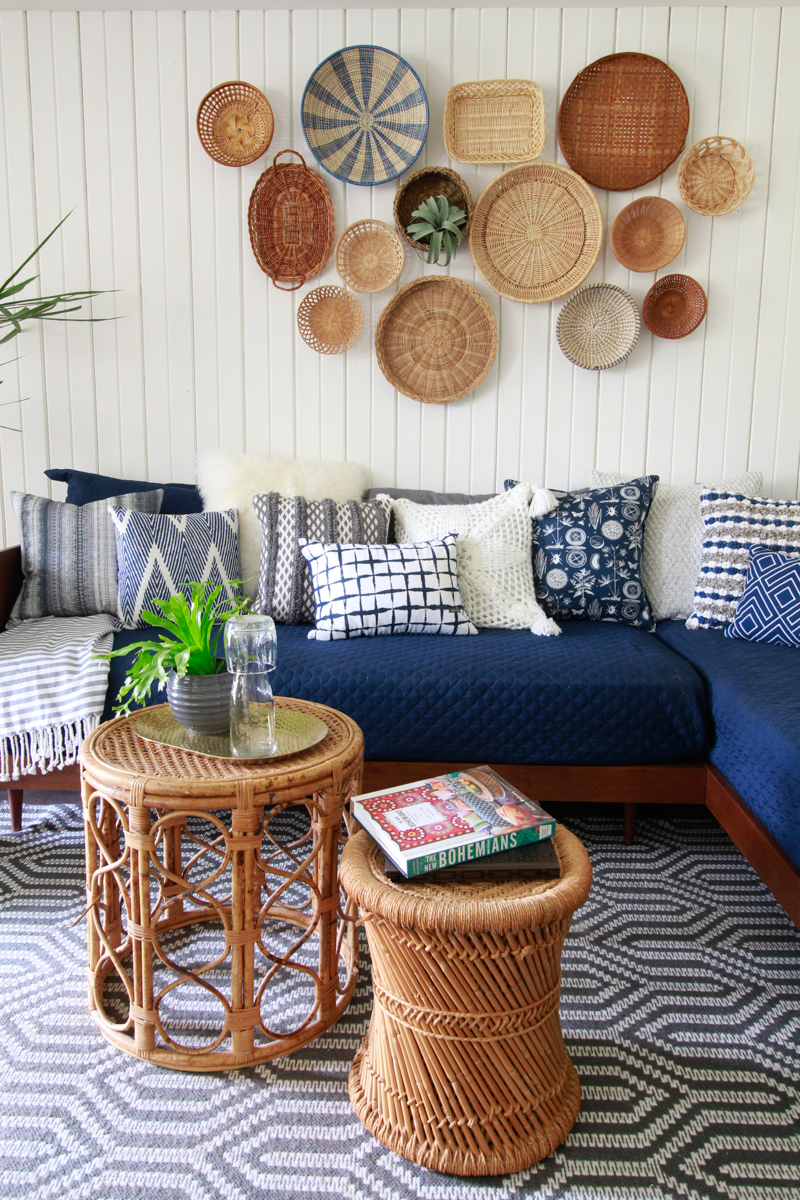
(437, 339)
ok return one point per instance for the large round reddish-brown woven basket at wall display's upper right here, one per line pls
(623, 121)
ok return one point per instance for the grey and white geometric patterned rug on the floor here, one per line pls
(681, 1010)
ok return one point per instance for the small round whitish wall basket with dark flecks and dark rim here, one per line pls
(598, 327)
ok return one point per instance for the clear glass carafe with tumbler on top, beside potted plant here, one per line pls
(251, 653)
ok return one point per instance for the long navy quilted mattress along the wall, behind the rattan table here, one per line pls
(600, 694)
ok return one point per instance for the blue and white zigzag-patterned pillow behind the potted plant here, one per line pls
(158, 556)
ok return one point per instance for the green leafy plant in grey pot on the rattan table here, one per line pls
(184, 659)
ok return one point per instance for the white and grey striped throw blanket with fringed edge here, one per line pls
(52, 691)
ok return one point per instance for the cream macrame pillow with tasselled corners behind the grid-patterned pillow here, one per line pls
(496, 575)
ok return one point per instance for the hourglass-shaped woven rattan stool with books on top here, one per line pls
(465, 1069)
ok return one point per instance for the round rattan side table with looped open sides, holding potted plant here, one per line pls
(190, 903)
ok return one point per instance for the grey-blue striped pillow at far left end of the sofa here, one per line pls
(69, 555)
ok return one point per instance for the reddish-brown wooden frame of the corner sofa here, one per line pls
(670, 784)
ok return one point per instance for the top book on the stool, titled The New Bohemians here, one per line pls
(452, 819)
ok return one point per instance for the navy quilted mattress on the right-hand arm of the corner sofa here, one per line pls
(754, 693)
